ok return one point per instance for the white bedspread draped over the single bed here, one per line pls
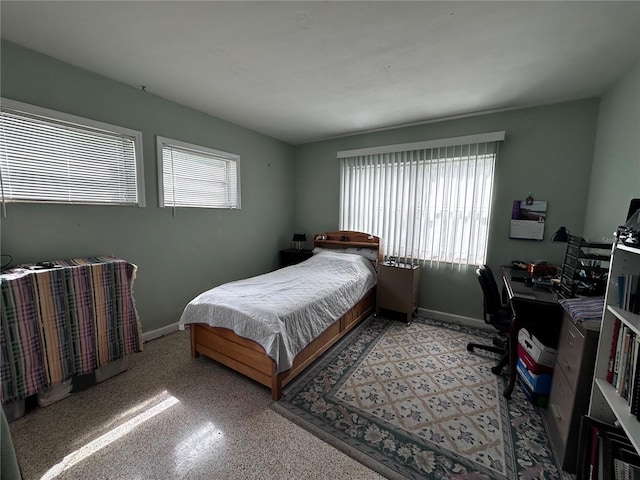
(286, 309)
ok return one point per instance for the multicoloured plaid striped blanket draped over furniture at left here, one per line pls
(64, 321)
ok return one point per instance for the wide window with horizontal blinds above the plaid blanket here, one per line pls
(49, 156)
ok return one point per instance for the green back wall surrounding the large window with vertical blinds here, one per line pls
(547, 151)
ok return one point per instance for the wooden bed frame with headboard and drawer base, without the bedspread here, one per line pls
(249, 358)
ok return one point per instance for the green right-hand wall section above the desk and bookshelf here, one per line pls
(615, 175)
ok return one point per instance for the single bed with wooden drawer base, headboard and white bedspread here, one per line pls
(260, 326)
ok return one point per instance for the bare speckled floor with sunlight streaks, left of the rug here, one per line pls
(173, 417)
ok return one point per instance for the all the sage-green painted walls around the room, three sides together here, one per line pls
(548, 151)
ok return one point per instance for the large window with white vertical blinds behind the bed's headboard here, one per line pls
(428, 201)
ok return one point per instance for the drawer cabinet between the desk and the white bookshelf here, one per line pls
(570, 389)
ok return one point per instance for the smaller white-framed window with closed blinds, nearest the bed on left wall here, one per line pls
(193, 176)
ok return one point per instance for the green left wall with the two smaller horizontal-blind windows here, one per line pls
(177, 257)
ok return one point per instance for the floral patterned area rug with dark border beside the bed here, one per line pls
(412, 402)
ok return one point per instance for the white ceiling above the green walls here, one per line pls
(305, 71)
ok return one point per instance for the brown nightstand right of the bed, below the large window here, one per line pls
(398, 287)
